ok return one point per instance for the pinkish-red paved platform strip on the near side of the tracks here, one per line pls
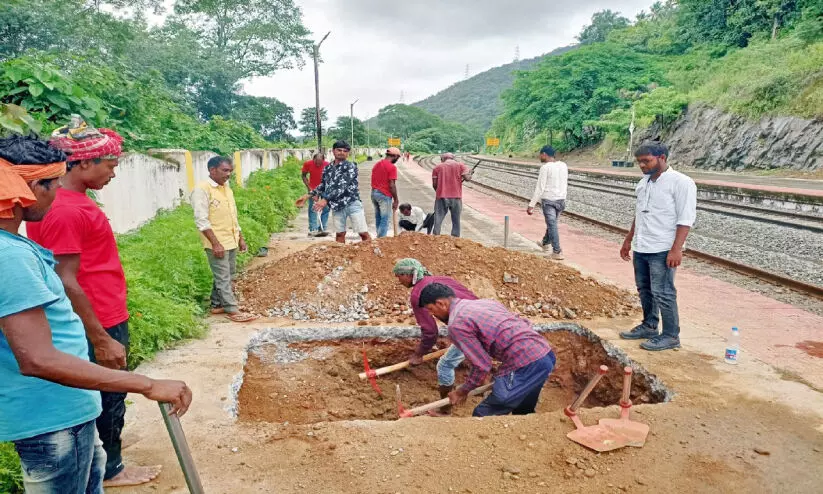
(770, 330)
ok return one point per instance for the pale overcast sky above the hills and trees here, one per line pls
(378, 48)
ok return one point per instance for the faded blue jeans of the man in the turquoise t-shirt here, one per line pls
(68, 461)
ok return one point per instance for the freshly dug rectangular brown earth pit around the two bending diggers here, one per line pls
(308, 375)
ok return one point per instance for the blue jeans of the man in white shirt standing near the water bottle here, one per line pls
(655, 284)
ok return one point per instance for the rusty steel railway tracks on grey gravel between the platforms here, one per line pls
(746, 269)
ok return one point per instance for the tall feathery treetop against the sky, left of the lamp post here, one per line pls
(257, 37)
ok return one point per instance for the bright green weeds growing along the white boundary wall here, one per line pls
(169, 278)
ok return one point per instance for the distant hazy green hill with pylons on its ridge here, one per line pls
(476, 102)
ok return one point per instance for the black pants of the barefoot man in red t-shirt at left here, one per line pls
(110, 422)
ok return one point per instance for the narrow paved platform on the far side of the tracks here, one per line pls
(809, 187)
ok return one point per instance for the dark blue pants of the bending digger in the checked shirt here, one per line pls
(517, 392)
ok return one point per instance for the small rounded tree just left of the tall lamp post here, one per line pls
(270, 117)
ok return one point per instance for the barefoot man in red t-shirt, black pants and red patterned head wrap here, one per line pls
(79, 234)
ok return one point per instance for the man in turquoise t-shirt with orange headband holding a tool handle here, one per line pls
(49, 397)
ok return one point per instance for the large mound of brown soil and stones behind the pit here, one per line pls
(354, 282)
